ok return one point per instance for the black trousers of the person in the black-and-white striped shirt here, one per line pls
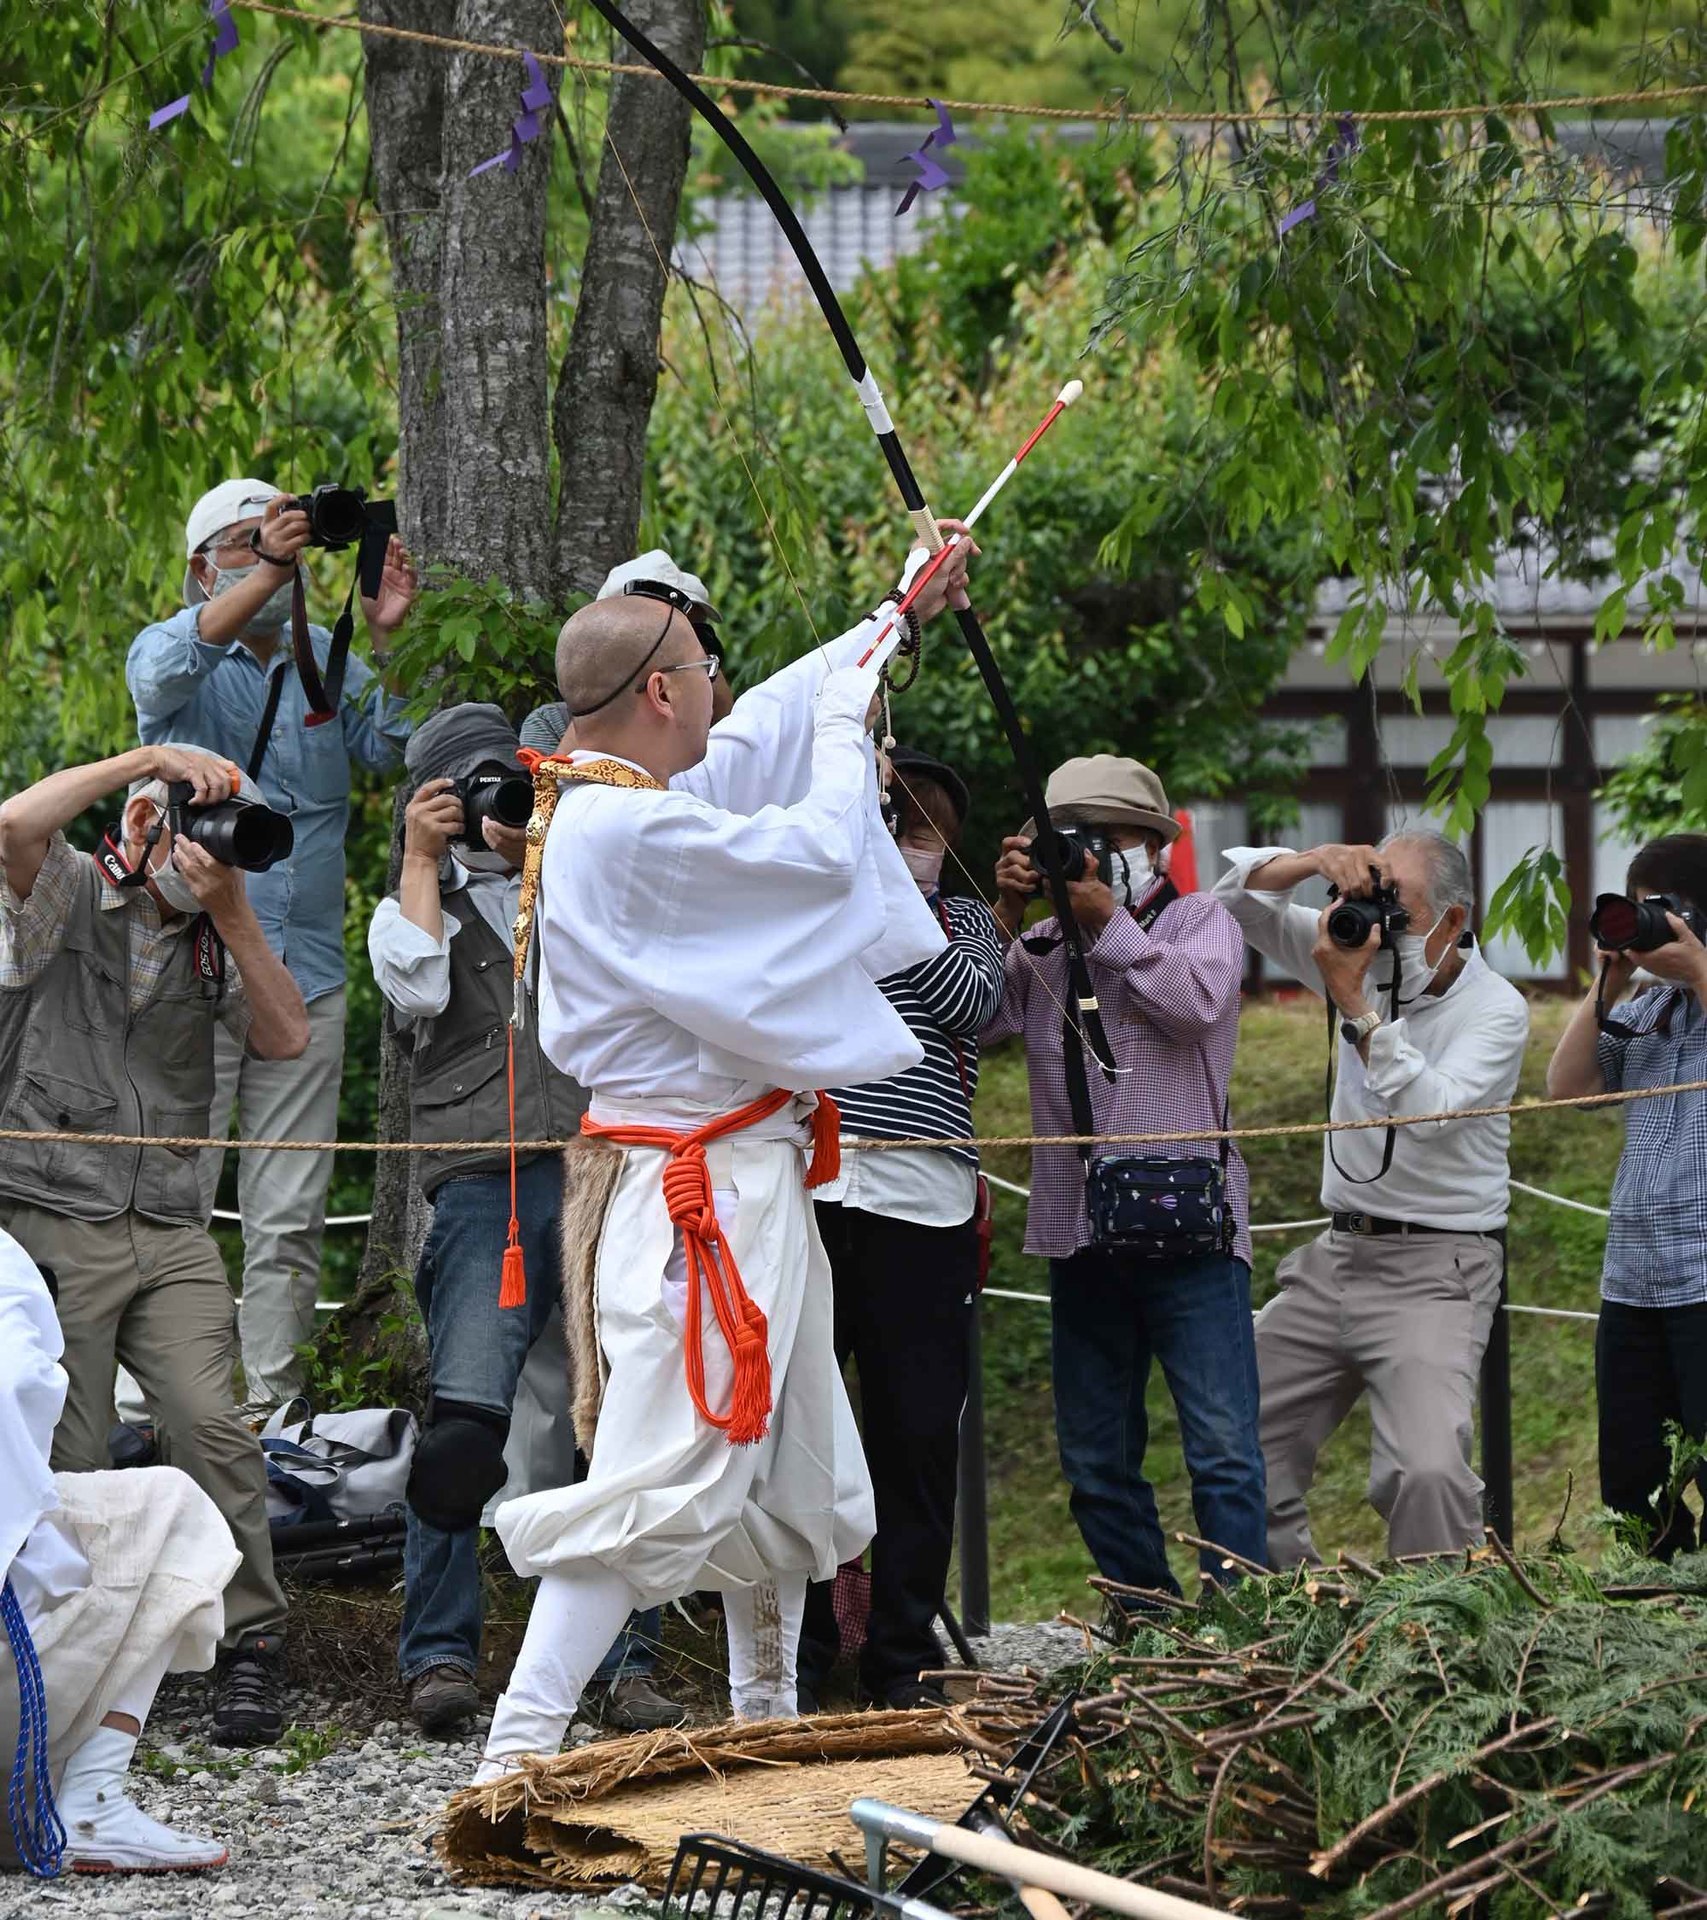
(903, 1314)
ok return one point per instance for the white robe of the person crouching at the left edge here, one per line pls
(120, 1575)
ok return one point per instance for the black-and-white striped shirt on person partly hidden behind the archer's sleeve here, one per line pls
(944, 1001)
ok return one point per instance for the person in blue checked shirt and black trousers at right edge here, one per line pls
(1650, 1353)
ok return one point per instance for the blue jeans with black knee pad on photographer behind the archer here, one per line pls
(477, 1358)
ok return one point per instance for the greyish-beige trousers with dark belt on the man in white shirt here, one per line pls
(1403, 1318)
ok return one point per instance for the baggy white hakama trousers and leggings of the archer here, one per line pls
(669, 1506)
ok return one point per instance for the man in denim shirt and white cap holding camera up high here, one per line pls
(206, 677)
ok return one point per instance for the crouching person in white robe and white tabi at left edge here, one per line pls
(118, 1577)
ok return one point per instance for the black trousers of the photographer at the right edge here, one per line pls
(1650, 1368)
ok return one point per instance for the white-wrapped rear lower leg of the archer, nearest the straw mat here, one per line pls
(577, 1614)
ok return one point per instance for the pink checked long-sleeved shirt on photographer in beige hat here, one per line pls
(1170, 1003)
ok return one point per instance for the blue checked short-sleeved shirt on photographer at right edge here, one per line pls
(1658, 1234)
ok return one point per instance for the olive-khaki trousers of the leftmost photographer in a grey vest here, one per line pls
(156, 1299)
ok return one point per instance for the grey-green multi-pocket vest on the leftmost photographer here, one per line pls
(74, 1059)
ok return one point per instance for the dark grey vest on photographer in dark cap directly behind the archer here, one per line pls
(458, 1088)
